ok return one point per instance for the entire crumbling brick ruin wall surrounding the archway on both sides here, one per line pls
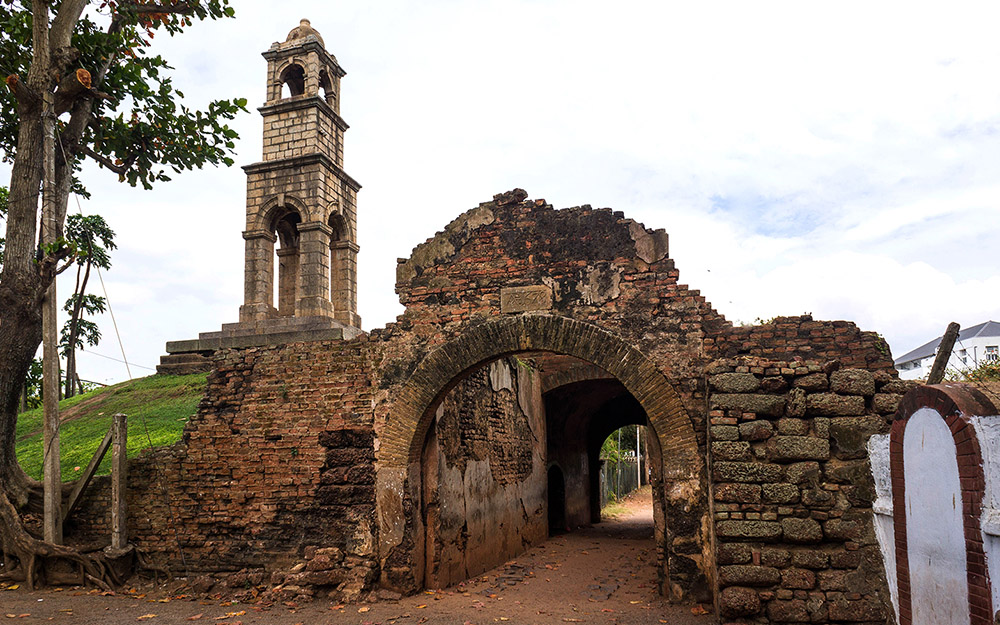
(280, 458)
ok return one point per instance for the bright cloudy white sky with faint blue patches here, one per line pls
(841, 160)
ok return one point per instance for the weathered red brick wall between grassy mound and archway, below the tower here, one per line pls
(280, 456)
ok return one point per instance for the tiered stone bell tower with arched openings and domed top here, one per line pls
(301, 205)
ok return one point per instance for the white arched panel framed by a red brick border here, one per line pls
(939, 590)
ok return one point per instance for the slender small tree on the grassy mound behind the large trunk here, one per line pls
(93, 240)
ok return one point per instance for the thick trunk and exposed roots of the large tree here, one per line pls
(23, 281)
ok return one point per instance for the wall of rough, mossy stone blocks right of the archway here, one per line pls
(792, 489)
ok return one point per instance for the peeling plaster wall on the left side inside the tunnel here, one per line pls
(484, 489)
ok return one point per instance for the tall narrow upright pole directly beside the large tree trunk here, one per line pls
(52, 520)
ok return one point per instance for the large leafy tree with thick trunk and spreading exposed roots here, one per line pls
(115, 104)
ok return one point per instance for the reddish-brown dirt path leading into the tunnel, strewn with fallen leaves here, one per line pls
(603, 575)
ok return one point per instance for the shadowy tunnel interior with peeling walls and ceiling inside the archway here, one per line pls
(513, 456)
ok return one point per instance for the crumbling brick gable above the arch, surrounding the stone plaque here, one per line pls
(602, 268)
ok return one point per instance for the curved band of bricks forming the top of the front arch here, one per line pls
(439, 370)
